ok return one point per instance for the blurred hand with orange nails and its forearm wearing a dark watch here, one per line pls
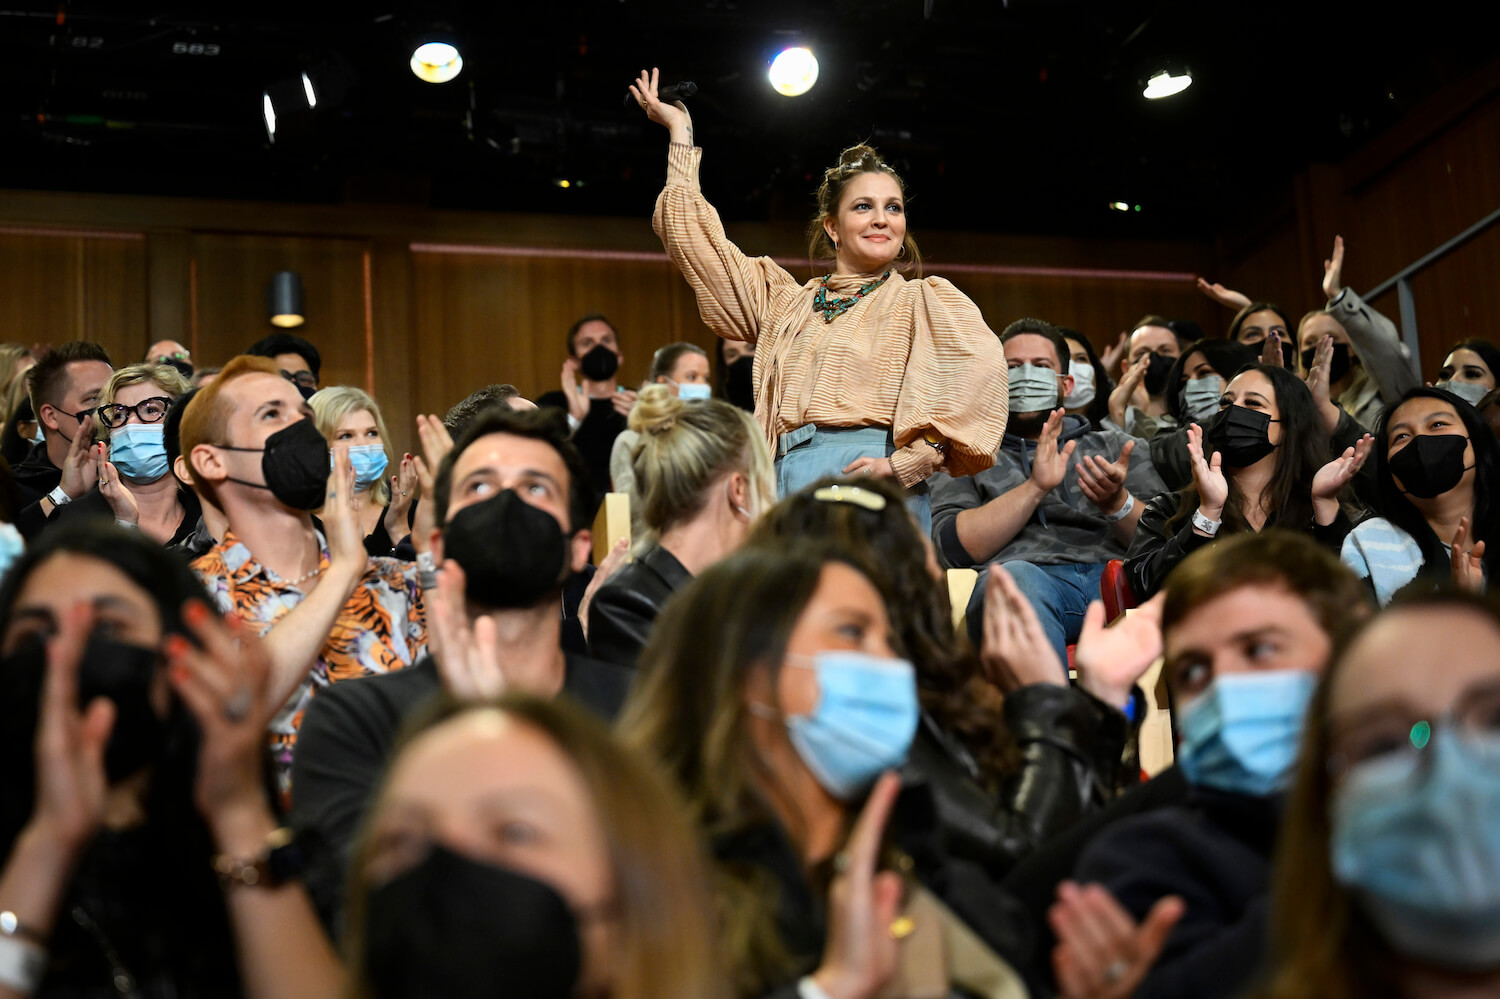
(224, 683)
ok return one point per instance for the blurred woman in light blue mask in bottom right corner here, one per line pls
(1385, 883)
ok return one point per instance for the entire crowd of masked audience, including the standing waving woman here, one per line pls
(292, 715)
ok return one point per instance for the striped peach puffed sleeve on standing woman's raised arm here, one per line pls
(734, 292)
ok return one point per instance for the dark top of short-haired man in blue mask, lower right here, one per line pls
(1214, 851)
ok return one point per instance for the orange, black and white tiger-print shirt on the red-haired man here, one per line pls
(382, 628)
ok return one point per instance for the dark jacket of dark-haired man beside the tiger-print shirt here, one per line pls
(347, 739)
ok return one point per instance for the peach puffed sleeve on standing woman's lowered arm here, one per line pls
(955, 383)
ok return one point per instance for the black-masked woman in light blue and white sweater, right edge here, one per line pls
(1438, 467)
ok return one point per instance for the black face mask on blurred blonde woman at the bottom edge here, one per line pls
(460, 929)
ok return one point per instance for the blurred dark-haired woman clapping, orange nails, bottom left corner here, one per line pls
(133, 770)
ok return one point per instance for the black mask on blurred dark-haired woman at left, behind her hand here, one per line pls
(109, 670)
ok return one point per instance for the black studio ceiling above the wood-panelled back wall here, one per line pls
(1012, 118)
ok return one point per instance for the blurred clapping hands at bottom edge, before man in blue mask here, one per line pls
(1102, 952)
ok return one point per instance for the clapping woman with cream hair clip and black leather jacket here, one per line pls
(1013, 755)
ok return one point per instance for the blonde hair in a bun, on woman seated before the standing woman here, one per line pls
(685, 449)
